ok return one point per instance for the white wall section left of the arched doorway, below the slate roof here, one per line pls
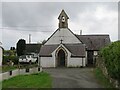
(47, 61)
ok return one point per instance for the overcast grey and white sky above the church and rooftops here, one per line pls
(19, 19)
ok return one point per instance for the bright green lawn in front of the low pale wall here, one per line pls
(38, 80)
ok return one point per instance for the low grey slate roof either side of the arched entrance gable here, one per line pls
(77, 50)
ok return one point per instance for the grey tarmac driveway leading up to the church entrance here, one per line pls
(73, 78)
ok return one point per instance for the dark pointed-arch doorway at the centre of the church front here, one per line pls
(61, 58)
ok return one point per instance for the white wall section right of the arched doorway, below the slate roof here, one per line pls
(76, 62)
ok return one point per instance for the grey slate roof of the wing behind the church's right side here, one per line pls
(94, 42)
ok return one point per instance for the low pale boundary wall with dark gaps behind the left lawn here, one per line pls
(12, 73)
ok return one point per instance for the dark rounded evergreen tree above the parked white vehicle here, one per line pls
(21, 45)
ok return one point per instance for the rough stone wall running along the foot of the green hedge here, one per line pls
(101, 65)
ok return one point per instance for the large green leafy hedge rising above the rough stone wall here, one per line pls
(111, 57)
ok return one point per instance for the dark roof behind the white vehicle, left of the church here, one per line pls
(33, 48)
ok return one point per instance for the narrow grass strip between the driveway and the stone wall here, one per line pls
(102, 79)
